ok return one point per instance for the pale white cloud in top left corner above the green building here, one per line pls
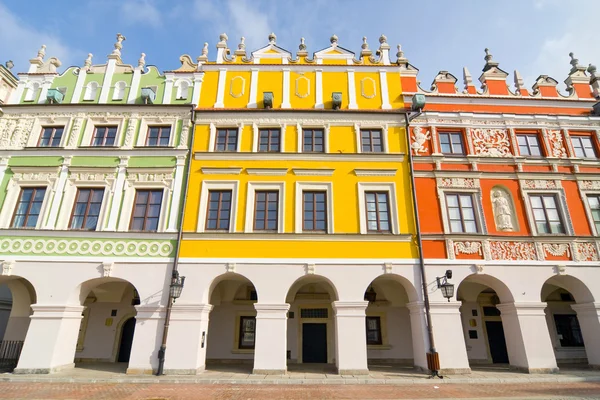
(21, 41)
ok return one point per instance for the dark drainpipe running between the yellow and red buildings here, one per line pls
(432, 357)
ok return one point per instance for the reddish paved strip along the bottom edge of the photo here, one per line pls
(184, 391)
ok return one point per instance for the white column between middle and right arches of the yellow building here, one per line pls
(350, 337)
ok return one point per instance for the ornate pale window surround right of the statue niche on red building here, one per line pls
(535, 186)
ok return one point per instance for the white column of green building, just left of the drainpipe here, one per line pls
(147, 338)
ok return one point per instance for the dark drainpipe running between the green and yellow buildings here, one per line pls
(175, 272)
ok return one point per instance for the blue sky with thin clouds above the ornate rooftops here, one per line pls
(533, 36)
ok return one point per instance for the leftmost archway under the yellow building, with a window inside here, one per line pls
(231, 332)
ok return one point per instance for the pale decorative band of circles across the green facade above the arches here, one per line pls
(78, 247)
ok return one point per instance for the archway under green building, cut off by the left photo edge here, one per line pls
(16, 297)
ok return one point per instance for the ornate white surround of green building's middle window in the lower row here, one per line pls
(86, 178)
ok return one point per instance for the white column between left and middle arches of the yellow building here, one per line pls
(270, 350)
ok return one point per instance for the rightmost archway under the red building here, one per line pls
(562, 295)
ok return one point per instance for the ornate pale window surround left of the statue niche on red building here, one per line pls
(461, 185)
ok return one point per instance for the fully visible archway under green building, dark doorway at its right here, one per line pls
(106, 322)
